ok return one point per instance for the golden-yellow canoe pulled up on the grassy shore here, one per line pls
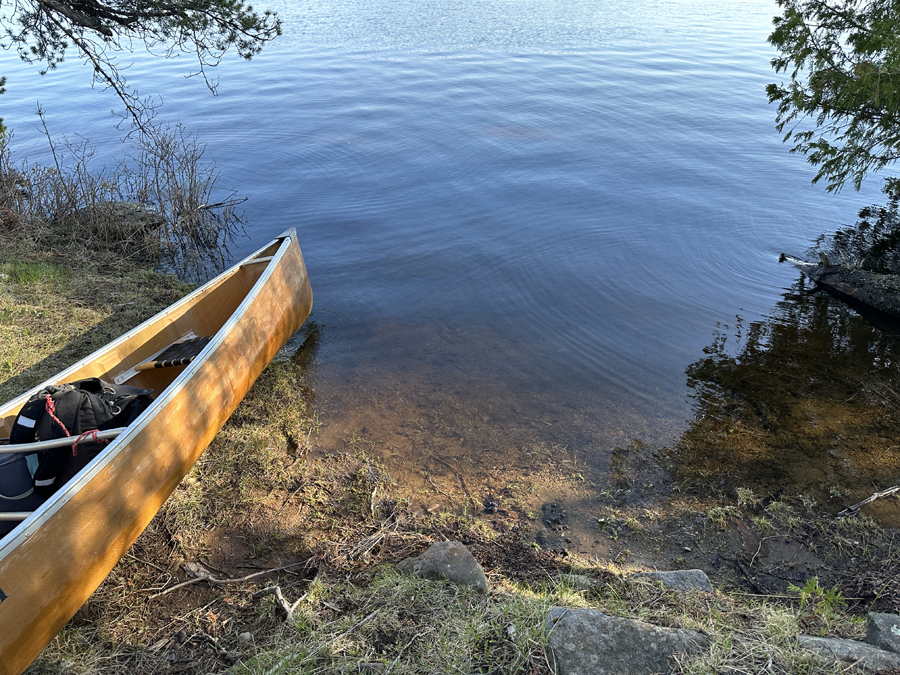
(54, 559)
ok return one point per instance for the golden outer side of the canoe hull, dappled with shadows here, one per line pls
(51, 566)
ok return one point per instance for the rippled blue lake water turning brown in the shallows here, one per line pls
(522, 219)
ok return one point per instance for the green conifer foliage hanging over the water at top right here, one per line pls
(841, 105)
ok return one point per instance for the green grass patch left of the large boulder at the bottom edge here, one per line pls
(409, 625)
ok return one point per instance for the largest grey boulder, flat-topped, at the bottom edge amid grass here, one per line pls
(588, 642)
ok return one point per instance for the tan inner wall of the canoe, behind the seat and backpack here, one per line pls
(203, 315)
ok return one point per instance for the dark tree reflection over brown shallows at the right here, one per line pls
(803, 401)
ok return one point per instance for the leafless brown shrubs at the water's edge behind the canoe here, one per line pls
(160, 204)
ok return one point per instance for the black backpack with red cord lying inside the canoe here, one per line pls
(58, 411)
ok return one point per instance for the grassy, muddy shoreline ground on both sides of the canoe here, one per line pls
(262, 497)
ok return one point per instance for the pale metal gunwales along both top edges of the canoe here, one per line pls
(49, 508)
